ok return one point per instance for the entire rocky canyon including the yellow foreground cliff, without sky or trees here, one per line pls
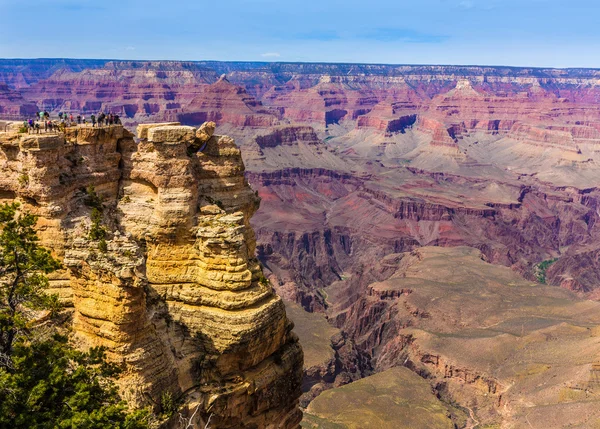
(433, 233)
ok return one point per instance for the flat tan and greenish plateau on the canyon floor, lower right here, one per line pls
(493, 347)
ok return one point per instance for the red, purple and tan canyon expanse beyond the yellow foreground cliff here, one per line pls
(433, 230)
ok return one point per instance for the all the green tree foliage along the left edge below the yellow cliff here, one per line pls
(45, 382)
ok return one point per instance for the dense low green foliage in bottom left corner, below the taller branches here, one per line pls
(52, 385)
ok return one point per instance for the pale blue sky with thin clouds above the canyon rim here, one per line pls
(542, 33)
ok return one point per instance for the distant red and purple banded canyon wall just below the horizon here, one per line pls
(482, 99)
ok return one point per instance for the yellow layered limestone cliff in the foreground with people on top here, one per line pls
(174, 290)
